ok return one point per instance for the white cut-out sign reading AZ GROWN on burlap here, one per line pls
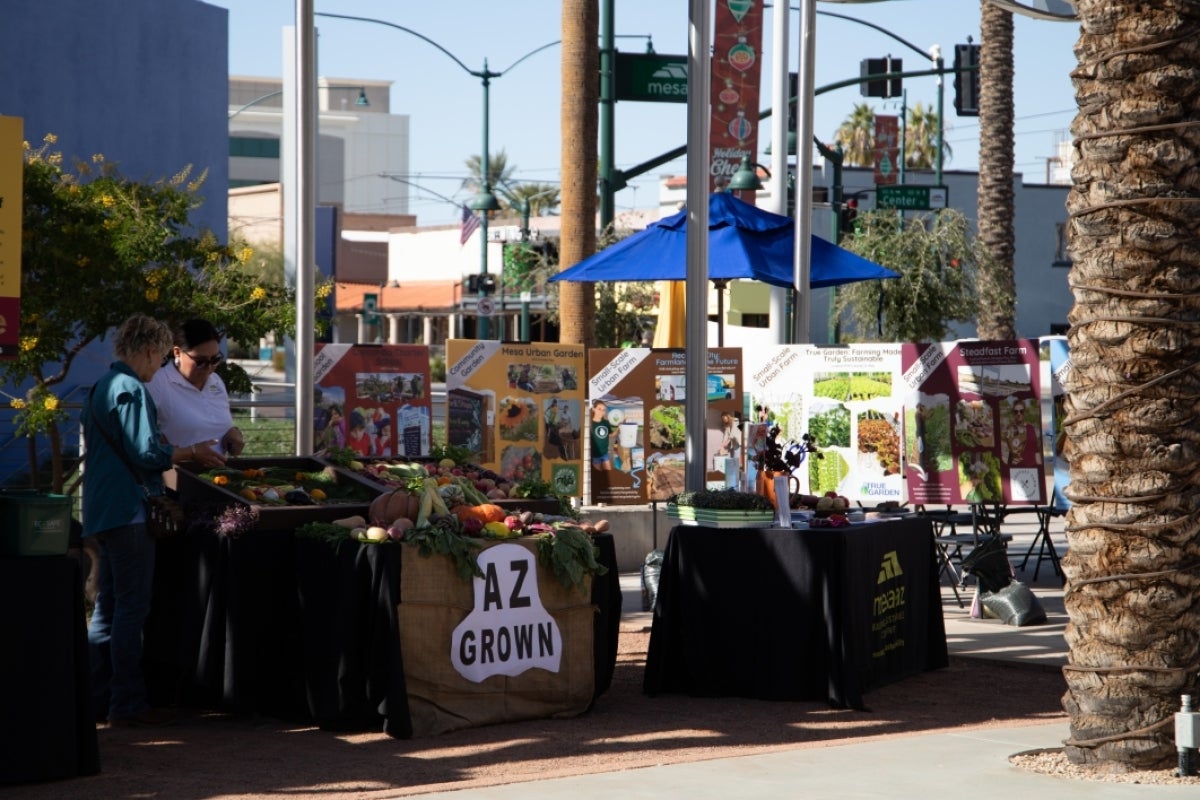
(509, 631)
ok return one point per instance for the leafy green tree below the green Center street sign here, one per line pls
(938, 261)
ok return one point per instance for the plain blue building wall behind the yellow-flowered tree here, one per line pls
(143, 82)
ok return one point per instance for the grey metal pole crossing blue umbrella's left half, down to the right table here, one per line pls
(697, 287)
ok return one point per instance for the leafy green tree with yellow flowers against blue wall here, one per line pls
(98, 248)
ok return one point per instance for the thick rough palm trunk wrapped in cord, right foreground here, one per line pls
(1133, 423)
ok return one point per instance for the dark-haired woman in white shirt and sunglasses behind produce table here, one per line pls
(194, 405)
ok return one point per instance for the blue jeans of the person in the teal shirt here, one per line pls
(115, 635)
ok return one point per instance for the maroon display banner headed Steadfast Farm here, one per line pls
(973, 423)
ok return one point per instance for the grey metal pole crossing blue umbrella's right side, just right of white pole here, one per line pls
(801, 280)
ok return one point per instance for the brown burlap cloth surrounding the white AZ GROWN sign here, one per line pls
(435, 600)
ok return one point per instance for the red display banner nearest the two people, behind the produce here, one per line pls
(373, 399)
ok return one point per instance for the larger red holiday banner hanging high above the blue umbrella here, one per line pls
(737, 69)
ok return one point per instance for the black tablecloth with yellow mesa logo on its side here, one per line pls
(796, 615)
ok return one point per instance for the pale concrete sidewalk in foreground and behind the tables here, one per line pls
(970, 765)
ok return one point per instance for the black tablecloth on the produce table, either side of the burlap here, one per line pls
(269, 623)
